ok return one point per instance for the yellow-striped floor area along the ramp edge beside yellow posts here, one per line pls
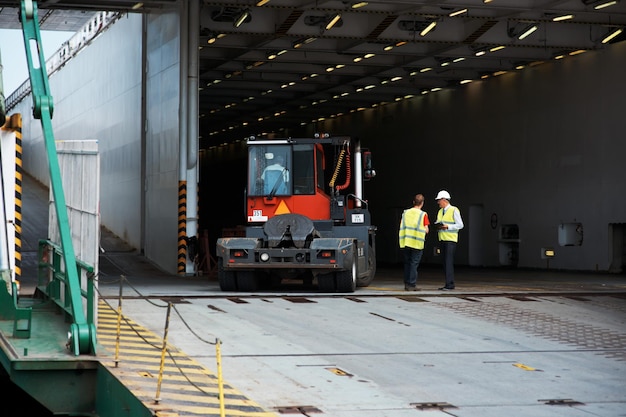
(187, 387)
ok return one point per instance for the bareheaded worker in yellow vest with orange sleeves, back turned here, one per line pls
(412, 234)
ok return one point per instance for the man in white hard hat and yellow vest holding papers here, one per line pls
(448, 224)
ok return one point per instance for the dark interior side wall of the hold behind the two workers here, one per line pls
(538, 148)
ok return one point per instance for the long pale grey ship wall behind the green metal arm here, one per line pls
(97, 95)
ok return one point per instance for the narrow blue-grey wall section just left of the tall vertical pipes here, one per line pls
(162, 103)
